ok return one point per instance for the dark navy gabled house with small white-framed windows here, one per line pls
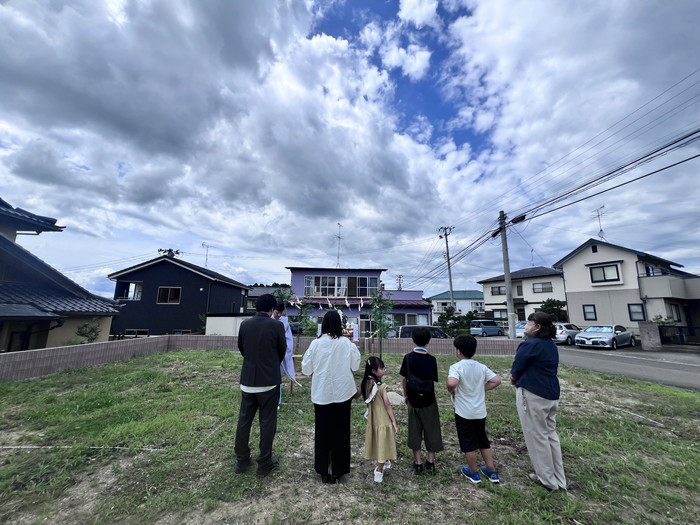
(167, 295)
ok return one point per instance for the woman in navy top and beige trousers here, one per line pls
(534, 373)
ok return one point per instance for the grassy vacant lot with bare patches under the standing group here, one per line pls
(150, 441)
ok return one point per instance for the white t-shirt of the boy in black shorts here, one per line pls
(470, 396)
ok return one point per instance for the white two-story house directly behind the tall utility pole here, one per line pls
(530, 288)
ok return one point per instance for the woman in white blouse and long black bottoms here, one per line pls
(330, 361)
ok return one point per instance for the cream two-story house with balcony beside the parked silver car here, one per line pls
(610, 284)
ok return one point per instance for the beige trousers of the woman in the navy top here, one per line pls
(538, 418)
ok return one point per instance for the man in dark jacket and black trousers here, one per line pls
(262, 343)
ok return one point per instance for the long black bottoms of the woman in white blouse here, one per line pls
(332, 447)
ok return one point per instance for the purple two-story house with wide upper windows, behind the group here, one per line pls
(350, 290)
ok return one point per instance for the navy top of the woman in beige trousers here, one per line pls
(535, 367)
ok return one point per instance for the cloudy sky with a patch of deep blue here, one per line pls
(242, 132)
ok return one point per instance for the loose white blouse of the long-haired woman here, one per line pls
(331, 363)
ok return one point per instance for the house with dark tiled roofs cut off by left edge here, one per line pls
(39, 306)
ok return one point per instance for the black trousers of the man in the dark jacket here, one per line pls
(266, 403)
